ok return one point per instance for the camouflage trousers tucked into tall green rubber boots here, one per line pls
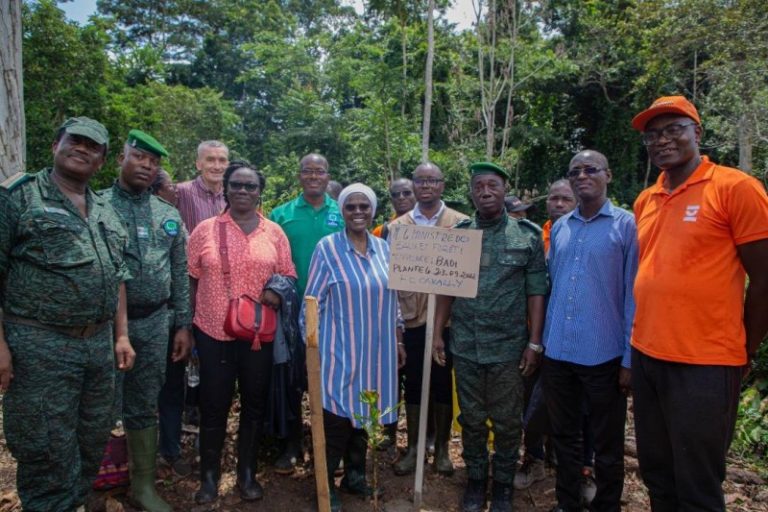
(139, 389)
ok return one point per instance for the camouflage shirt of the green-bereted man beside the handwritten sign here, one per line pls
(493, 327)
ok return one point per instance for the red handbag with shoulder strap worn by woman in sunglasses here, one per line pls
(247, 319)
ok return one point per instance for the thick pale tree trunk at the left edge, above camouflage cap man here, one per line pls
(12, 125)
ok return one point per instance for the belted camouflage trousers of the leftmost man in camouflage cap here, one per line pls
(56, 413)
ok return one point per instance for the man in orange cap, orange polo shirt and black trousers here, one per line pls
(701, 228)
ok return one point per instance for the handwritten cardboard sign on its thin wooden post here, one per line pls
(435, 261)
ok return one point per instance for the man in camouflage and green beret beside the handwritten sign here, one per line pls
(495, 337)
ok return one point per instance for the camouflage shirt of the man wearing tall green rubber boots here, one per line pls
(156, 254)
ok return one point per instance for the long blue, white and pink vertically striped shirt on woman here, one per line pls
(358, 322)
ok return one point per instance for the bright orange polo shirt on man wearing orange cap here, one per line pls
(689, 289)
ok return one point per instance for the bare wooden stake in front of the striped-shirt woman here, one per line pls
(316, 406)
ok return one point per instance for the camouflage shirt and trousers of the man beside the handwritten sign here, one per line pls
(488, 336)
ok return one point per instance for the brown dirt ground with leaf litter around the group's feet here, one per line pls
(745, 491)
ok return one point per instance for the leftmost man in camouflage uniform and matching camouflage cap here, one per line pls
(62, 285)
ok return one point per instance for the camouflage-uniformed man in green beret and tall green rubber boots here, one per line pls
(157, 259)
